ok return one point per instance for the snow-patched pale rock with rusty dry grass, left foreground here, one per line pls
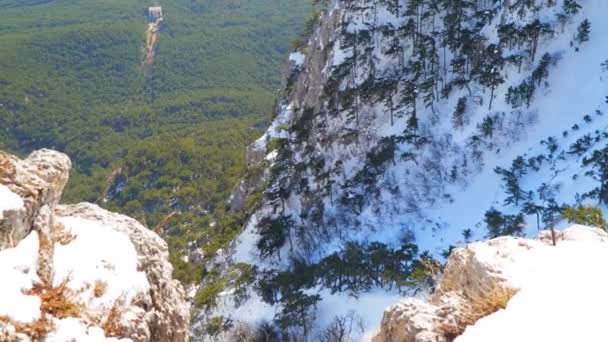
(78, 272)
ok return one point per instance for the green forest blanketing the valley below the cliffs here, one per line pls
(147, 141)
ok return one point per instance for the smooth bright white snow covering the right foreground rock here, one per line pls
(561, 287)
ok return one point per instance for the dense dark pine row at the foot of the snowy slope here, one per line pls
(356, 268)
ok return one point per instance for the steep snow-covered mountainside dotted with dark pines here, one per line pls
(393, 120)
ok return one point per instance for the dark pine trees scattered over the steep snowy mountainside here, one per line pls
(365, 155)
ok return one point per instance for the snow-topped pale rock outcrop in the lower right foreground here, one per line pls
(559, 292)
